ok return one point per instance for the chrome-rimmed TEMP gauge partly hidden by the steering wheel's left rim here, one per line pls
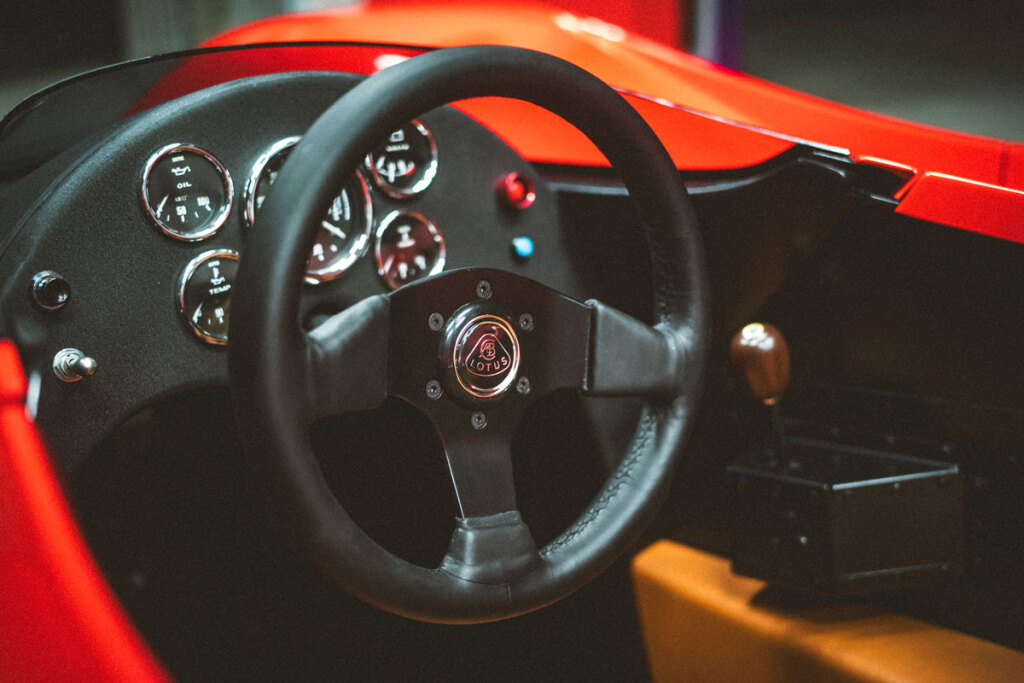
(205, 294)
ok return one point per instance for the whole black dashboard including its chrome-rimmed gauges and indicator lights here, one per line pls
(147, 229)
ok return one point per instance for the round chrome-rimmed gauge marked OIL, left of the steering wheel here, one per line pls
(187, 192)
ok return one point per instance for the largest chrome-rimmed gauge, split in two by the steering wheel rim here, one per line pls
(345, 231)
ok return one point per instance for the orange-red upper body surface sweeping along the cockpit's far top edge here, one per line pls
(642, 66)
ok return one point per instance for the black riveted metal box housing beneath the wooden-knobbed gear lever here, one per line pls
(842, 521)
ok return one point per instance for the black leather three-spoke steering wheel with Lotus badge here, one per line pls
(472, 349)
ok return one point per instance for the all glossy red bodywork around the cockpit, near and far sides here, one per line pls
(61, 619)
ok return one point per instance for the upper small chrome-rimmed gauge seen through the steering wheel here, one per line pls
(407, 163)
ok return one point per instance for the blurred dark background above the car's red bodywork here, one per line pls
(957, 64)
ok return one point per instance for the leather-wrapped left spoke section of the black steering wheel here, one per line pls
(348, 360)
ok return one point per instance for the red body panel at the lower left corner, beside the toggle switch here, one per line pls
(61, 620)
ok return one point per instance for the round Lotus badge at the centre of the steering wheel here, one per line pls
(487, 357)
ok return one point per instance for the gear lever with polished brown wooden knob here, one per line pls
(760, 354)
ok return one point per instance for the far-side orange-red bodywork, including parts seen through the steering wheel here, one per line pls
(639, 65)
